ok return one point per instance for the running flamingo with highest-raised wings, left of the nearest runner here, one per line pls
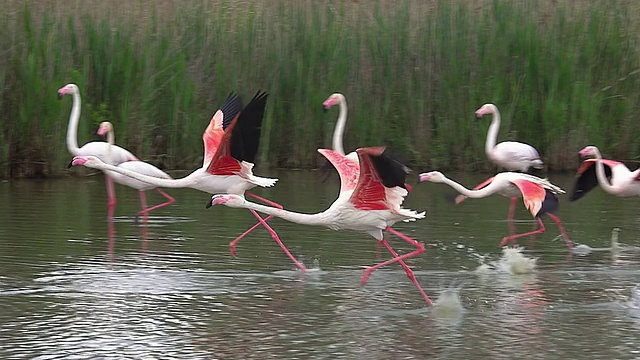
(230, 145)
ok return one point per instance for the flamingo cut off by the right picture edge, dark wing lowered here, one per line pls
(614, 177)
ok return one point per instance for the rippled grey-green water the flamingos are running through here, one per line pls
(169, 288)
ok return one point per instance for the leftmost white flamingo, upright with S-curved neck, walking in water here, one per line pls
(112, 154)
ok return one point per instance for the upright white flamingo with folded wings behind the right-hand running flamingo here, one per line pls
(511, 155)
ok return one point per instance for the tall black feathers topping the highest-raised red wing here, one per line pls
(245, 136)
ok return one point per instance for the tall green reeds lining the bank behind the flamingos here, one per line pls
(563, 74)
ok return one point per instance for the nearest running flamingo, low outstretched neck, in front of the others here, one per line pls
(374, 205)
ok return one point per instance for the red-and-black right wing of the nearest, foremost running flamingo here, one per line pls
(377, 173)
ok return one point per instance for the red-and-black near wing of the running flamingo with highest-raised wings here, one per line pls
(240, 140)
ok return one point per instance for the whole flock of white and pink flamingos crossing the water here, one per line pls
(372, 184)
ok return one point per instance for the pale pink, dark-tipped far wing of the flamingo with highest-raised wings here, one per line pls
(222, 118)
